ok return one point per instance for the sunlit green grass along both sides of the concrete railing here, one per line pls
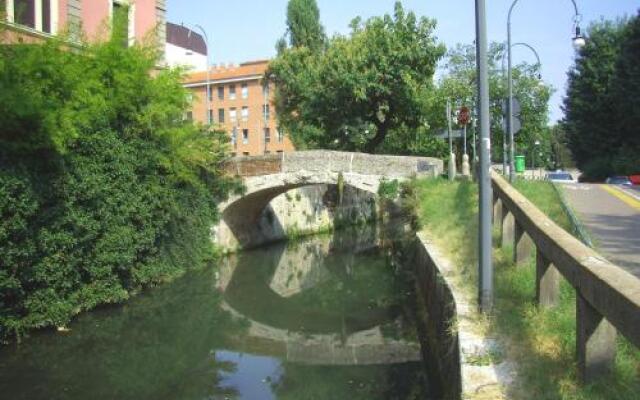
(542, 342)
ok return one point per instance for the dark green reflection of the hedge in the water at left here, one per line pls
(157, 346)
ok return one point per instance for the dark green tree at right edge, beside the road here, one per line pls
(601, 110)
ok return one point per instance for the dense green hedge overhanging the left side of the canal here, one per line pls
(104, 188)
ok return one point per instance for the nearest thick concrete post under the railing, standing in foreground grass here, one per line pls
(595, 341)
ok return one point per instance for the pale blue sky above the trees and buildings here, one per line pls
(248, 30)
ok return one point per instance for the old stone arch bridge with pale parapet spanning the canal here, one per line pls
(268, 177)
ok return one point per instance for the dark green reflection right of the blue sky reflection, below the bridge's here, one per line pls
(402, 381)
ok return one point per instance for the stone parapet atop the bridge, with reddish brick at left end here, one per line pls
(334, 161)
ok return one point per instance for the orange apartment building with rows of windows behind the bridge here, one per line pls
(241, 103)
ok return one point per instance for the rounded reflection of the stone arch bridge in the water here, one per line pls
(329, 301)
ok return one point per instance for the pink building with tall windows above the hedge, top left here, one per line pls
(36, 20)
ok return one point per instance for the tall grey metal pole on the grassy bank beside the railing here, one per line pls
(485, 275)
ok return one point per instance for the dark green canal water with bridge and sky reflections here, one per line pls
(325, 318)
